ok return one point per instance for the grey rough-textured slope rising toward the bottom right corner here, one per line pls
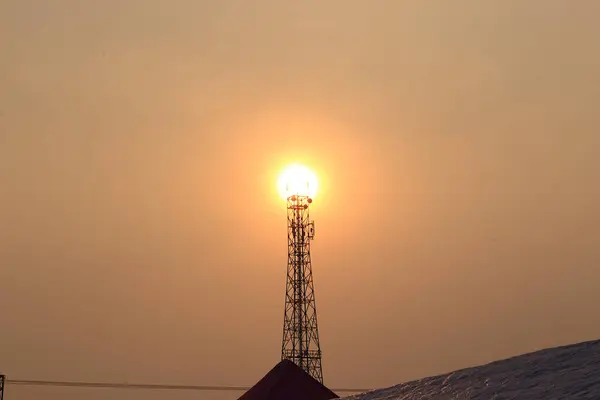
(568, 372)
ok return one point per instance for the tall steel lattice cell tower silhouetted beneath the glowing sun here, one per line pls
(300, 332)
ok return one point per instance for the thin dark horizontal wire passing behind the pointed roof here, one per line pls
(145, 386)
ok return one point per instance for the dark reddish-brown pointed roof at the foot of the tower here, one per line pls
(287, 381)
